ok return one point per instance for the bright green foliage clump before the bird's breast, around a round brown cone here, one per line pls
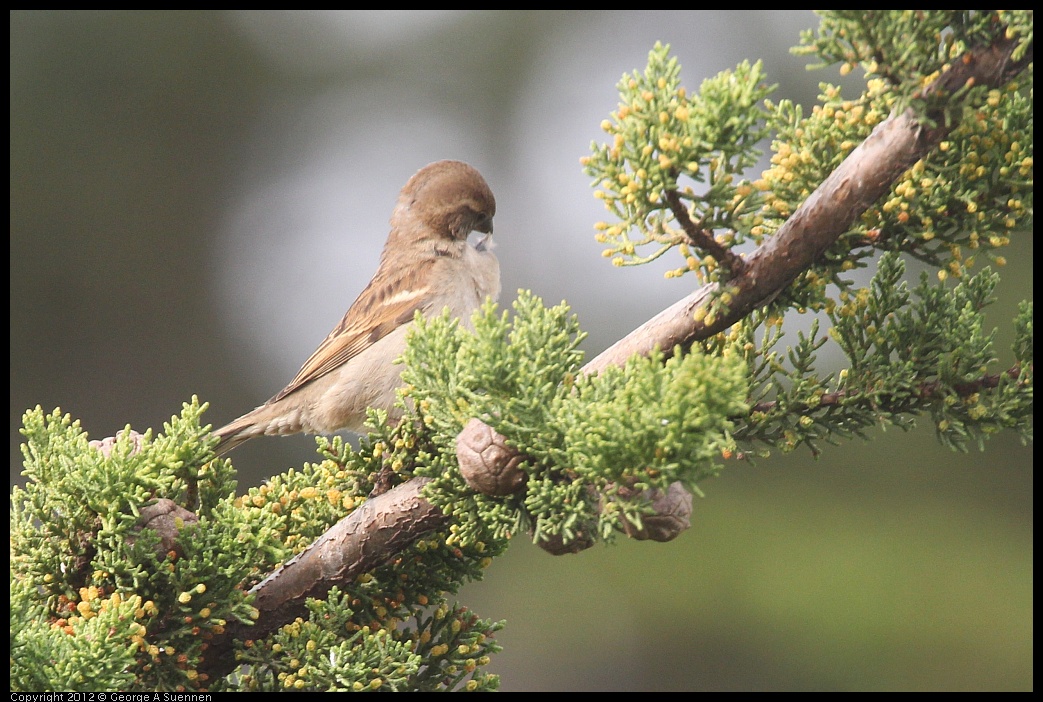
(589, 442)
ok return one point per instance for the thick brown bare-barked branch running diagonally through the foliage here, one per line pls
(385, 525)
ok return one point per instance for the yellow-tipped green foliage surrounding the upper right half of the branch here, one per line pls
(909, 354)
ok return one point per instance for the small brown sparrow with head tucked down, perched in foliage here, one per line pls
(428, 264)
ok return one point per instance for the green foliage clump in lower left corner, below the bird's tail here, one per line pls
(99, 587)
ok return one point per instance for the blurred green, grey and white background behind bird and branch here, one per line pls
(198, 198)
